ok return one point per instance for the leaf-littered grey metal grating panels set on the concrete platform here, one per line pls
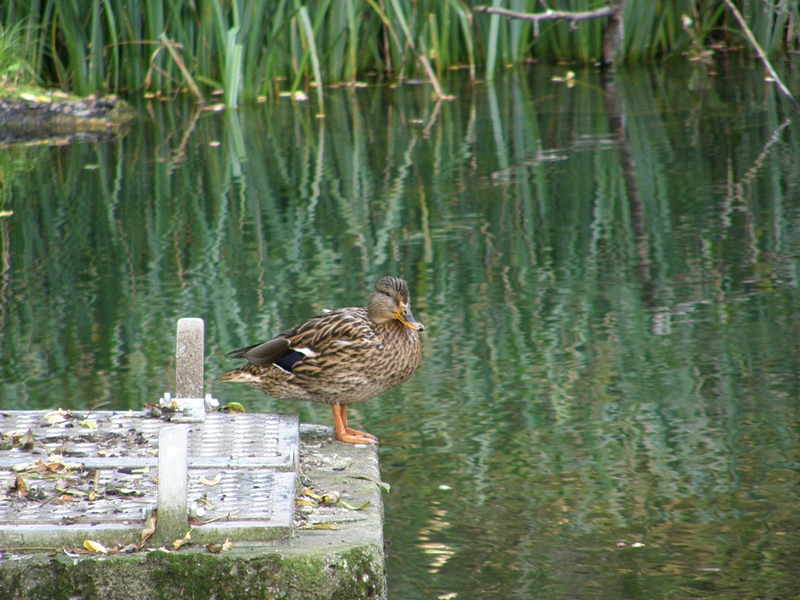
(110, 478)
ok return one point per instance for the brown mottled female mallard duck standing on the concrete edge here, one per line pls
(339, 357)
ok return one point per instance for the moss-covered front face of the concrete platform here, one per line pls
(349, 575)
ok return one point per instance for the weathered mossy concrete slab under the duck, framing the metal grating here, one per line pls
(334, 551)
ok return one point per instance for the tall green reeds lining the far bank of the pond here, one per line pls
(255, 48)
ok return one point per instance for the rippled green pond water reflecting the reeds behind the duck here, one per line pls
(608, 274)
